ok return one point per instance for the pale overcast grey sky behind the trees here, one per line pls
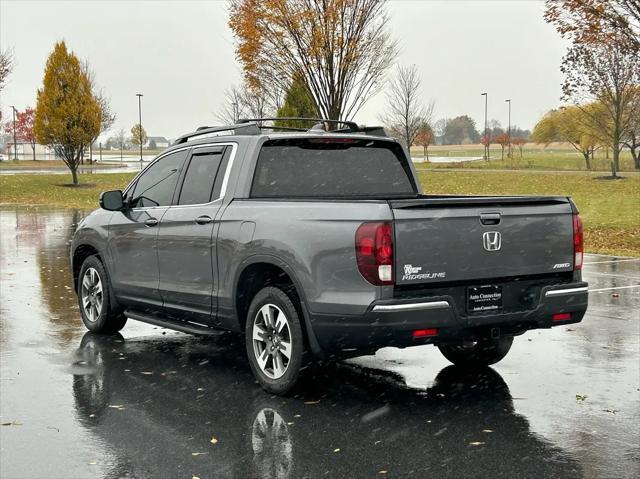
(180, 55)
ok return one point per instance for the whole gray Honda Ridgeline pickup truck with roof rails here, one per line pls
(321, 244)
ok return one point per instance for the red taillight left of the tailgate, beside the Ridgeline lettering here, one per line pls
(374, 252)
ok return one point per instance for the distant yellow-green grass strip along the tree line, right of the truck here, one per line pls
(534, 157)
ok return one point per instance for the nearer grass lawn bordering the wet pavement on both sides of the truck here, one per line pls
(610, 209)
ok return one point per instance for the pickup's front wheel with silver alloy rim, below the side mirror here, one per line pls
(94, 299)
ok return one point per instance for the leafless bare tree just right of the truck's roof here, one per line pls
(405, 111)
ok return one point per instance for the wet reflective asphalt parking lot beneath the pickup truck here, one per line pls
(153, 403)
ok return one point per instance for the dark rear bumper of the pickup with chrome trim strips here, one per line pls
(392, 322)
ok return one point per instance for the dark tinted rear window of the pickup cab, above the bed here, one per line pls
(332, 168)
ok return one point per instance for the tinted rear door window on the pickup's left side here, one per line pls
(200, 178)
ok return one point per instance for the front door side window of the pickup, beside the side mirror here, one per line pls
(156, 185)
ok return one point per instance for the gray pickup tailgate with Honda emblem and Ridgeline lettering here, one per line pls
(441, 239)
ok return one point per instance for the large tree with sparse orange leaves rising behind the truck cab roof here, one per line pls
(339, 48)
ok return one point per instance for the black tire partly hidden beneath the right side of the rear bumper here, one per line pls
(478, 354)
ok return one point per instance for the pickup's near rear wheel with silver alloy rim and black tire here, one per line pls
(274, 340)
